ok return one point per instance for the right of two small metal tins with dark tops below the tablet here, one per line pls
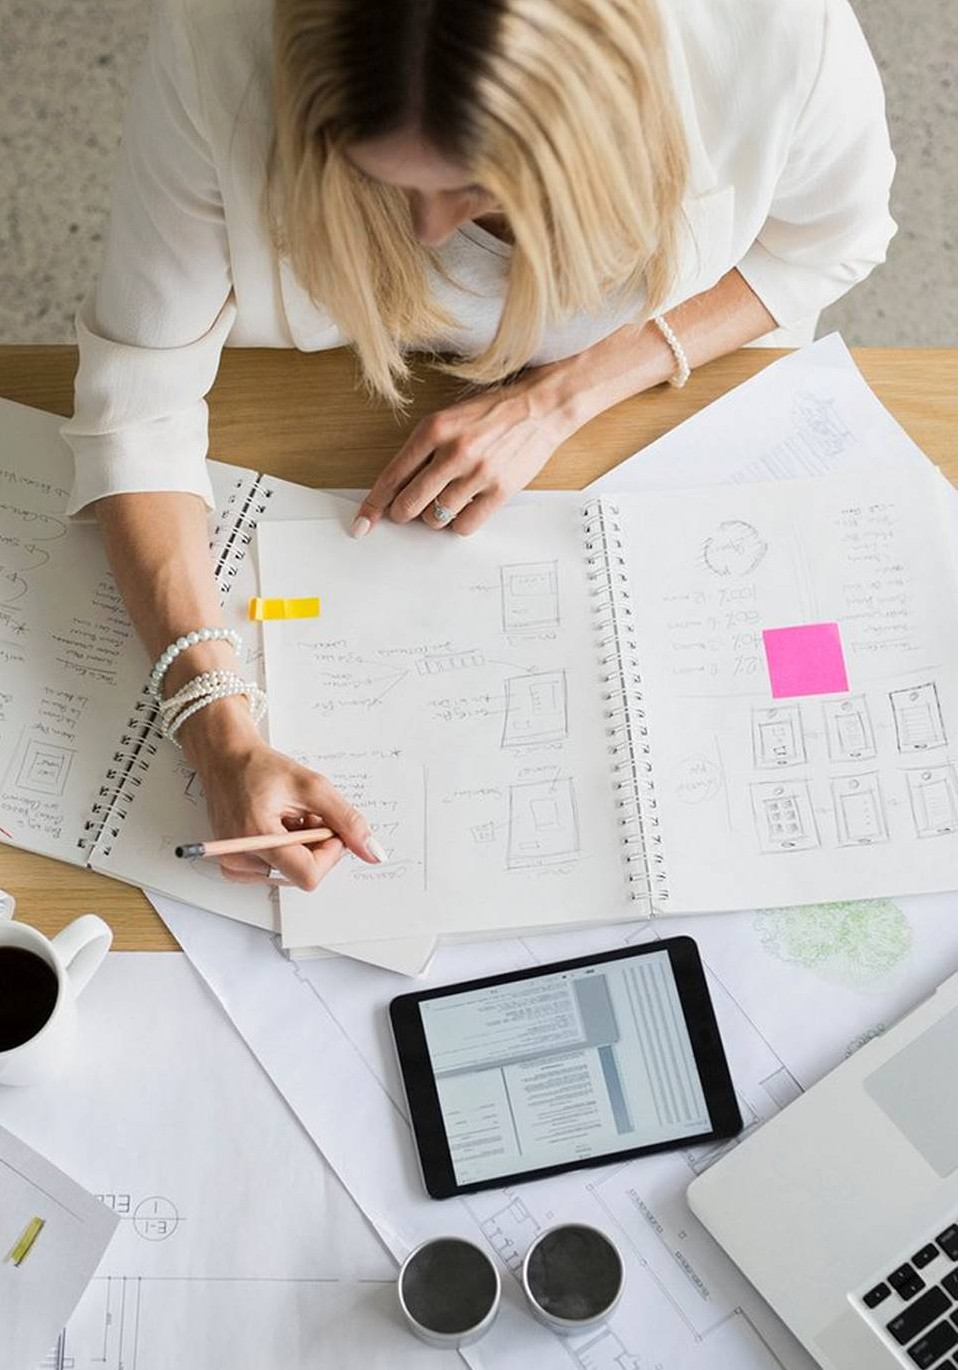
(573, 1278)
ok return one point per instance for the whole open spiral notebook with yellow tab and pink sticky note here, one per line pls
(621, 706)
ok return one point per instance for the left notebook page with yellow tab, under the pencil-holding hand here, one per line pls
(451, 691)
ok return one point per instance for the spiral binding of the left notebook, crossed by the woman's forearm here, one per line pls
(140, 739)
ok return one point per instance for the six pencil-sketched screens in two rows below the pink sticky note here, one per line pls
(915, 777)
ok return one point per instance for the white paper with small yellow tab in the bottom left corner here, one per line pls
(43, 1269)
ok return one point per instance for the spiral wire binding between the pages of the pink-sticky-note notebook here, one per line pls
(625, 710)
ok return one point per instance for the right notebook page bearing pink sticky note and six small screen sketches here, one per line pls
(842, 788)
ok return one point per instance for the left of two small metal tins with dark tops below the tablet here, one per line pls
(450, 1291)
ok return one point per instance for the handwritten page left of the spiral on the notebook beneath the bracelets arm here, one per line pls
(71, 664)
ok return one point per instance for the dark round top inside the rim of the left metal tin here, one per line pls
(450, 1286)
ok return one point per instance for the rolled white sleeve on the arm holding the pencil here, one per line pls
(153, 331)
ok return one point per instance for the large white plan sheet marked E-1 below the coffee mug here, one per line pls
(238, 1246)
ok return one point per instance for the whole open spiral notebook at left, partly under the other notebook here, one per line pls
(84, 776)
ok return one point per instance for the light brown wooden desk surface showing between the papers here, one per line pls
(302, 417)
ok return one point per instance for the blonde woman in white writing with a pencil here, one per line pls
(572, 201)
